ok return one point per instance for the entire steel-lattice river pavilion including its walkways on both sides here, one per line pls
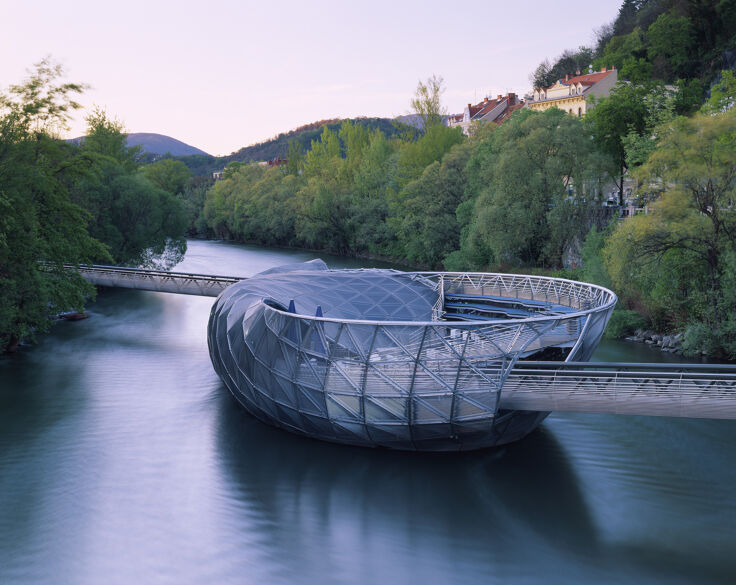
(422, 360)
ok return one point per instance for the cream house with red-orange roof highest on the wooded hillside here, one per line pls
(572, 94)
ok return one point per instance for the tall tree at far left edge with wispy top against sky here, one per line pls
(40, 228)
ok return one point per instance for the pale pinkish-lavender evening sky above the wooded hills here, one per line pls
(223, 74)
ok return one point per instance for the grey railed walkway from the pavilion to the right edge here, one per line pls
(682, 390)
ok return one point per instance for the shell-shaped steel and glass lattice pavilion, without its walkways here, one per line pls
(395, 359)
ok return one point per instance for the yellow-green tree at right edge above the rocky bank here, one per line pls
(677, 256)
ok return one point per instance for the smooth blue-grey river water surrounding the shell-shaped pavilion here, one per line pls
(123, 460)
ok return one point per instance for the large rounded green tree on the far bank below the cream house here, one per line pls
(533, 166)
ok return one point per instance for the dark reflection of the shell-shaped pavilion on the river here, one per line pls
(474, 508)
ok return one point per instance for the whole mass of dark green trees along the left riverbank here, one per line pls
(61, 203)
